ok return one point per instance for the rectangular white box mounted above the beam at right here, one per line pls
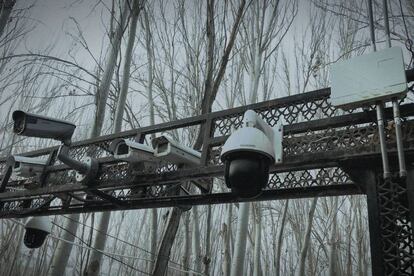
(366, 79)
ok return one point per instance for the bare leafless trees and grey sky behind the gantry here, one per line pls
(114, 65)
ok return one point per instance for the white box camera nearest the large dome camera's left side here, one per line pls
(167, 148)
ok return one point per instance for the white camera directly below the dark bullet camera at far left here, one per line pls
(28, 166)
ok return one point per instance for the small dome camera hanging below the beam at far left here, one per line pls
(37, 229)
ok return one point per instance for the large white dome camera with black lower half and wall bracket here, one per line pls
(248, 154)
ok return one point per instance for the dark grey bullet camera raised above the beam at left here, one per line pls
(43, 127)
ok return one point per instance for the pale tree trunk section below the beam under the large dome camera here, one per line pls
(237, 267)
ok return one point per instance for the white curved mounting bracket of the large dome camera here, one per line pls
(275, 134)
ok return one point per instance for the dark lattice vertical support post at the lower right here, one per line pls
(390, 218)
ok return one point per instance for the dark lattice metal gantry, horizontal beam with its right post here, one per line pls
(327, 152)
